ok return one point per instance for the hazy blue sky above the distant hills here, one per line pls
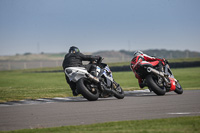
(93, 25)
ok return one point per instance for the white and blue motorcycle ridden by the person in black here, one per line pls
(91, 87)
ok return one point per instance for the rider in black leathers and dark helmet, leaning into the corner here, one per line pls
(74, 59)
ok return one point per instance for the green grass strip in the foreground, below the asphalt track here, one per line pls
(173, 125)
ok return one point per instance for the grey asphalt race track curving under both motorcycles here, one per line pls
(77, 111)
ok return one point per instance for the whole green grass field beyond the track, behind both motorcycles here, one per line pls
(25, 84)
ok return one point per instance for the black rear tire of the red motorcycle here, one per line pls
(154, 87)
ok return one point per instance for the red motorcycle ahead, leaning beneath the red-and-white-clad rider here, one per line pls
(157, 81)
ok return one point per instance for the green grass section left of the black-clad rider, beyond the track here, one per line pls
(18, 85)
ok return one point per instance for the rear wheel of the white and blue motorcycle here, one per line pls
(84, 87)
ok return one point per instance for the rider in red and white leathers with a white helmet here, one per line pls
(140, 57)
